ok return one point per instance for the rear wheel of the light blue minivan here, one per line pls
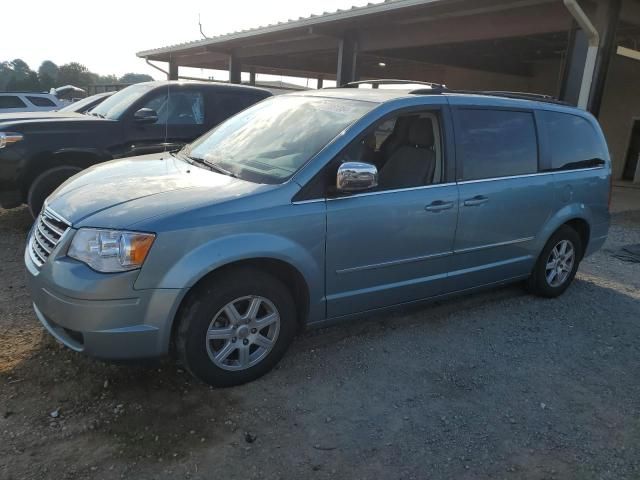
(558, 263)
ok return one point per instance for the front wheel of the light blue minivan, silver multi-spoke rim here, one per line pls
(235, 327)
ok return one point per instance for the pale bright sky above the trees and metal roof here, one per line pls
(106, 39)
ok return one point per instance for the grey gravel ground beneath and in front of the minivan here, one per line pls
(496, 385)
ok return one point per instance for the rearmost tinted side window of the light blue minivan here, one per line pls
(573, 142)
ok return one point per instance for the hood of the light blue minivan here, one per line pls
(122, 192)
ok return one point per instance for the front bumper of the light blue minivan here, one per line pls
(101, 315)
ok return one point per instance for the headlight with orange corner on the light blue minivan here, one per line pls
(110, 251)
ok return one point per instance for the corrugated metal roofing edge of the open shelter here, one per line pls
(340, 14)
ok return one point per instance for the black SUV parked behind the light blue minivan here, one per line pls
(36, 156)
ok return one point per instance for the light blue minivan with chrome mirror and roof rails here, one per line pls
(313, 207)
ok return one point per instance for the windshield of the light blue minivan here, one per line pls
(272, 140)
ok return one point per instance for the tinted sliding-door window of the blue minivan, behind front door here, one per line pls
(497, 143)
